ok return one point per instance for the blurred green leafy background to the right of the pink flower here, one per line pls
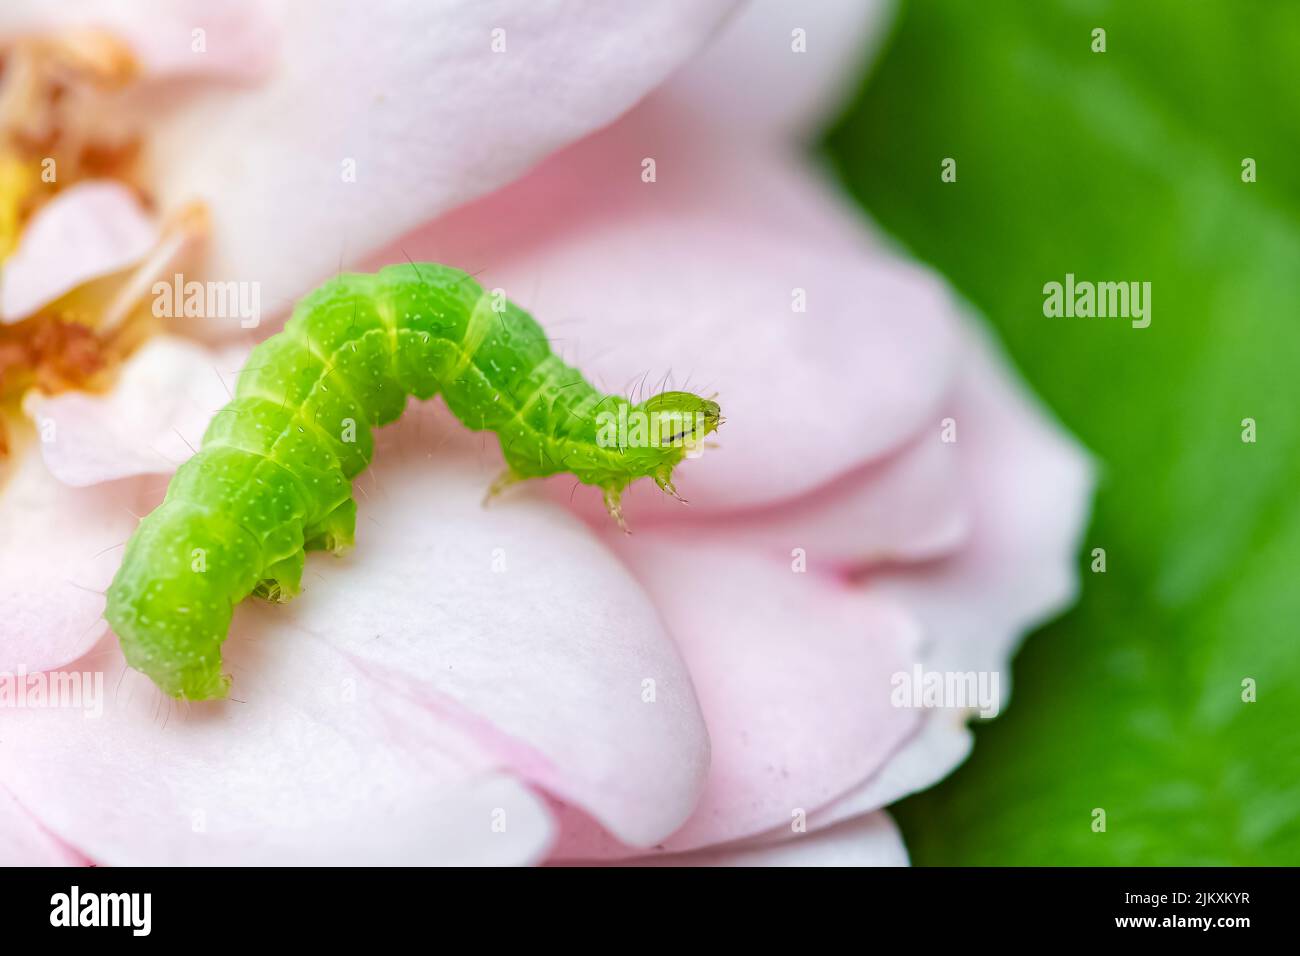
(1124, 166)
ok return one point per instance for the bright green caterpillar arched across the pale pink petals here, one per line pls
(272, 479)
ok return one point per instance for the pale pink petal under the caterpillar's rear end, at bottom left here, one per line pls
(319, 771)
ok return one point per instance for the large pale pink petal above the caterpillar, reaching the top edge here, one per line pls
(382, 116)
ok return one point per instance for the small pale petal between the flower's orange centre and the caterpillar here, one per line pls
(149, 425)
